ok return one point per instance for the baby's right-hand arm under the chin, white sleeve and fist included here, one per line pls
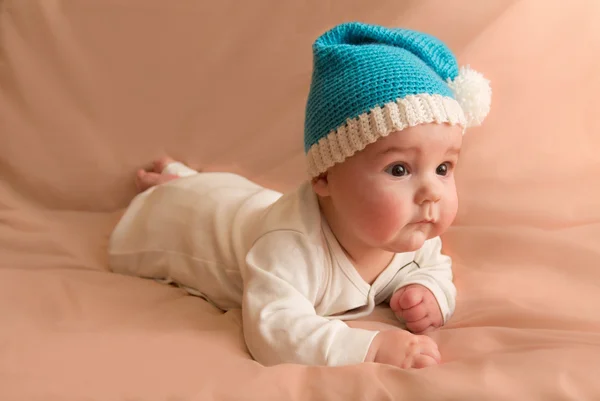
(425, 296)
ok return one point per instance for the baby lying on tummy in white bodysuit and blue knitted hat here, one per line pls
(385, 118)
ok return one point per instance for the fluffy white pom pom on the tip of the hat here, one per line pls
(474, 94)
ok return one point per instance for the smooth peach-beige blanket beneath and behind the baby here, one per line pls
(91, 90)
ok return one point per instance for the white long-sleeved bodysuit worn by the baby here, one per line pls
(240, 245)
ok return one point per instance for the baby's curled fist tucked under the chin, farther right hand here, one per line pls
(417, 306)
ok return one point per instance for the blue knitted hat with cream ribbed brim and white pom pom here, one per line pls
(369, 81)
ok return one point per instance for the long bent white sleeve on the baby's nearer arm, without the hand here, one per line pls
(281, 286)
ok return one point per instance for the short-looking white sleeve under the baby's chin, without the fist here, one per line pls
(433, 270)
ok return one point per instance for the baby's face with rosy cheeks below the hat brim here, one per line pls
(399, 191)
